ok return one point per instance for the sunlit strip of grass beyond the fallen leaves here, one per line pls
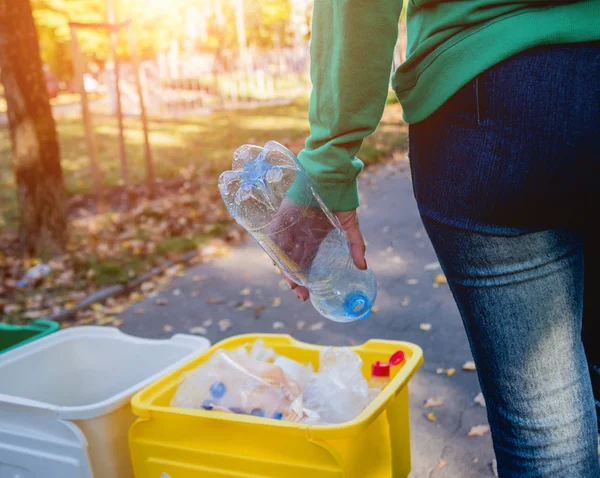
(207, 142)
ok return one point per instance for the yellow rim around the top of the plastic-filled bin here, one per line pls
(143, 407)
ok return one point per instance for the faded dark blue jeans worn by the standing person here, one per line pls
(506, 177)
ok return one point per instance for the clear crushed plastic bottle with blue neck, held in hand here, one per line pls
(271, 196)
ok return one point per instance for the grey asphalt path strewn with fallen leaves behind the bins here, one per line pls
(398, 252)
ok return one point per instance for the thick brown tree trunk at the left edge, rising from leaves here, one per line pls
(35, 152)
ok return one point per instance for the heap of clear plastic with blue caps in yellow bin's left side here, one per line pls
(242, 381)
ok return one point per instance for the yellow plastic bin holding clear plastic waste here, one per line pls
(187, 443)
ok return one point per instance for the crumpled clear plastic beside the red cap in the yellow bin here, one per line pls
(338, 392)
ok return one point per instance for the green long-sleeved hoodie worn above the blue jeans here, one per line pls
(449, 43)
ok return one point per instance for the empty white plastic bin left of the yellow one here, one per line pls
(64, 400)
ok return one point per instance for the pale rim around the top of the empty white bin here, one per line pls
(196, 346)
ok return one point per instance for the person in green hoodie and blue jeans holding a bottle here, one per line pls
(502, 98)
